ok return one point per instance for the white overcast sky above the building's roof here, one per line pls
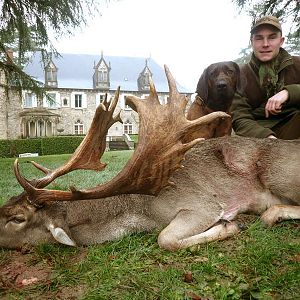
(187, 35)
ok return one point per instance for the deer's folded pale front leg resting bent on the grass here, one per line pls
(186, 230)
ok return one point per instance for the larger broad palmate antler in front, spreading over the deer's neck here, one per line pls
(160, 150)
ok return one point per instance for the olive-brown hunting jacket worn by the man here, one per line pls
(248, 107)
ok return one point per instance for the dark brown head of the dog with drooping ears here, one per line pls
(218, 84)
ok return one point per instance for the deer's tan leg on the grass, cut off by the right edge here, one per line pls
(279, 212)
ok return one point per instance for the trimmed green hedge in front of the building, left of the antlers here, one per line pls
(42, 146)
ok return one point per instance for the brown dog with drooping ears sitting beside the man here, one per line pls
(215, 90)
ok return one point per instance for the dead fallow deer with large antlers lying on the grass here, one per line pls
(192, 190)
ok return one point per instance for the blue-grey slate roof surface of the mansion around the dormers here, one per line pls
(76, 71)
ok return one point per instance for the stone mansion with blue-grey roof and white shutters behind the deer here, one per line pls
(76, 84)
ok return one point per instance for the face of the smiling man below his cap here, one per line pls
(266, 42)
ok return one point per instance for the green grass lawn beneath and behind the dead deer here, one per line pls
(259, 263)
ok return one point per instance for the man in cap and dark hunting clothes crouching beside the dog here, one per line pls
(269, 105)
